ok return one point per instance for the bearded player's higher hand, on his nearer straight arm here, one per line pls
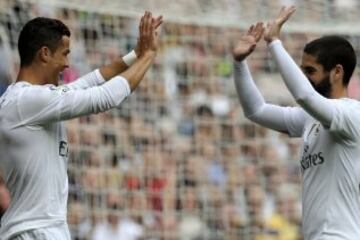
(273, 28)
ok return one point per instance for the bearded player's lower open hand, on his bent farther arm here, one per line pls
(247, 43)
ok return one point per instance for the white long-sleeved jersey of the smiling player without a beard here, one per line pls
(34, 148)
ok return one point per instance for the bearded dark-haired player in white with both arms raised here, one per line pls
(326, 119)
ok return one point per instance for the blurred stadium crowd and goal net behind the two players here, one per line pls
(178, 160)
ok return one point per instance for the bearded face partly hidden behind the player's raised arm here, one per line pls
(318, 77)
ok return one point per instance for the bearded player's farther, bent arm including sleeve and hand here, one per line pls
(288, 120)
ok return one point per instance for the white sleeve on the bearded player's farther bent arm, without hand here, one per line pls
(290, 120)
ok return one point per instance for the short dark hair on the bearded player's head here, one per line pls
(332, 50)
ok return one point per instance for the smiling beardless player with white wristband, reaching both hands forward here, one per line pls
(33, 144)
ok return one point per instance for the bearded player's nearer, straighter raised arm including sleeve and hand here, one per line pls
(305, 95)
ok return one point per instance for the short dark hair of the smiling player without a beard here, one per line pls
(37, 33)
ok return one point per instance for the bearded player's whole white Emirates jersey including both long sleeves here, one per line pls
(330, 161)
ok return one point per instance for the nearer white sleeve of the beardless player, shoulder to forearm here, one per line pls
(43, 104)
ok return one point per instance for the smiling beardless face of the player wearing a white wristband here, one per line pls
(59, 59)
